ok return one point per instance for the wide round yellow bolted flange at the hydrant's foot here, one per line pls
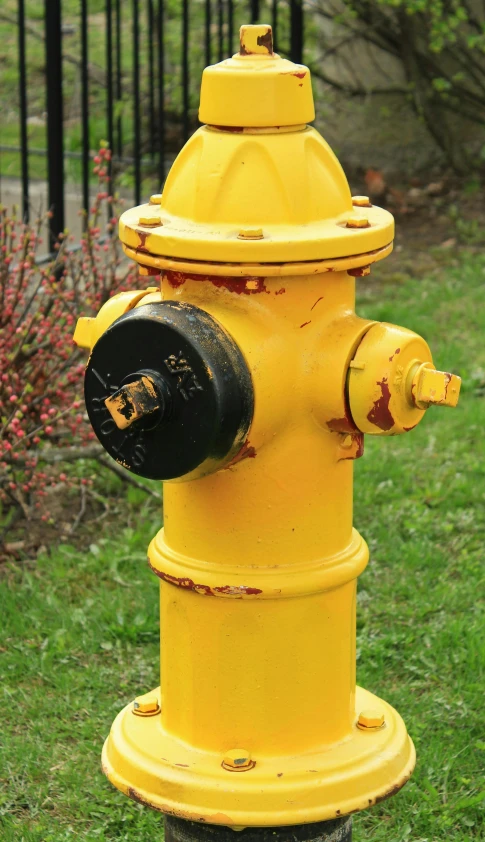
(151, 766)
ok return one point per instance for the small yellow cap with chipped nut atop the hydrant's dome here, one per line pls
(256, 88)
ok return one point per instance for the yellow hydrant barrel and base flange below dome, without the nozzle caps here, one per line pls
(258, 566)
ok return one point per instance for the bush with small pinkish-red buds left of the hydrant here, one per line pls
(41, 408)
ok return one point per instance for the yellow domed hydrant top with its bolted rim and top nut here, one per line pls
(256, 184)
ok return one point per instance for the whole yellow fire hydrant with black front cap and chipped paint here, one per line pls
(246, 381)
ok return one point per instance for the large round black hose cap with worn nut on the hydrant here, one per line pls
(168, 392)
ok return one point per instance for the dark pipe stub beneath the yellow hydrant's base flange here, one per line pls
(335, 830)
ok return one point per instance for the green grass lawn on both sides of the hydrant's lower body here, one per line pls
(79, 632)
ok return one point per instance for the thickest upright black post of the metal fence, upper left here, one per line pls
(55, 127)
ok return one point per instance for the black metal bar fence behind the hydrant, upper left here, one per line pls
(142, 89)
